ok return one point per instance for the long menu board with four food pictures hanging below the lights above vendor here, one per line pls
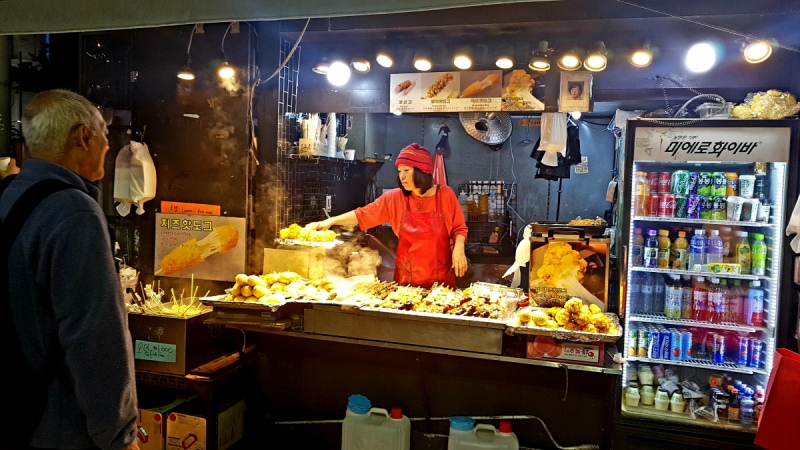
(484, 90)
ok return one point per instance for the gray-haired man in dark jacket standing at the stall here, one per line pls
(64, 321)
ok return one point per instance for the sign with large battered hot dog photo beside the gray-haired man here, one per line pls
(206, 247)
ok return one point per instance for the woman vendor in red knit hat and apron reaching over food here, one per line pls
(427, 219)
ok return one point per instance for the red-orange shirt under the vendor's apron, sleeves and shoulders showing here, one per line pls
(391, 207)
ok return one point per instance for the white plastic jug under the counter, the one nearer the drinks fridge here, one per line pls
(465, 435)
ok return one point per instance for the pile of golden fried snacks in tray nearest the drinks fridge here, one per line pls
(574, 316)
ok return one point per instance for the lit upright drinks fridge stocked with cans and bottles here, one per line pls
(703, 229)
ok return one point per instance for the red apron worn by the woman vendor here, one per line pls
(424, 255)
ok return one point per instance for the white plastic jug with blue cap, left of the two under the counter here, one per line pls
(365, 427)
